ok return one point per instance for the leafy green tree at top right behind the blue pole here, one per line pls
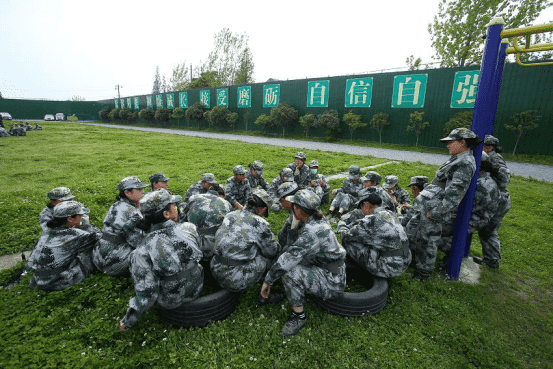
(457, 30)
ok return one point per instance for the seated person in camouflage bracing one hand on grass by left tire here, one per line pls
(164, 268)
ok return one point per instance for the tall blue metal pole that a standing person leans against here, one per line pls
(486, 100)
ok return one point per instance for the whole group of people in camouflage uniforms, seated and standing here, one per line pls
(166, 243)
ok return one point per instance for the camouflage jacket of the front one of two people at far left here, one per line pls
(54, 258)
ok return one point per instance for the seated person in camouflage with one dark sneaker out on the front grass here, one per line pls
(313, 264)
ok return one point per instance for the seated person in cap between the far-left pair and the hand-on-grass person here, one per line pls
(121, 233)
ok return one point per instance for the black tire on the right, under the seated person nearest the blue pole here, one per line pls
(350, 304)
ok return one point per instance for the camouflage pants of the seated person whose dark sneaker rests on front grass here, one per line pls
(302, 280)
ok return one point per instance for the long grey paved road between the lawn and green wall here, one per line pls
(542, 172)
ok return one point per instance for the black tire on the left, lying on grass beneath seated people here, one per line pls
(202, 311)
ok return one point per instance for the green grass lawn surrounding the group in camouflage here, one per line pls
(503, 322)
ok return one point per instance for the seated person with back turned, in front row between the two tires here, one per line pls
(245, 247)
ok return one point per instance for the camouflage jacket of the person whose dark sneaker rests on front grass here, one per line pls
(316, 245)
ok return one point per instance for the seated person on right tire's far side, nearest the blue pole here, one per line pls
(377, 241)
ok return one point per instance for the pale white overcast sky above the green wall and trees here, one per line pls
(59, 49)
